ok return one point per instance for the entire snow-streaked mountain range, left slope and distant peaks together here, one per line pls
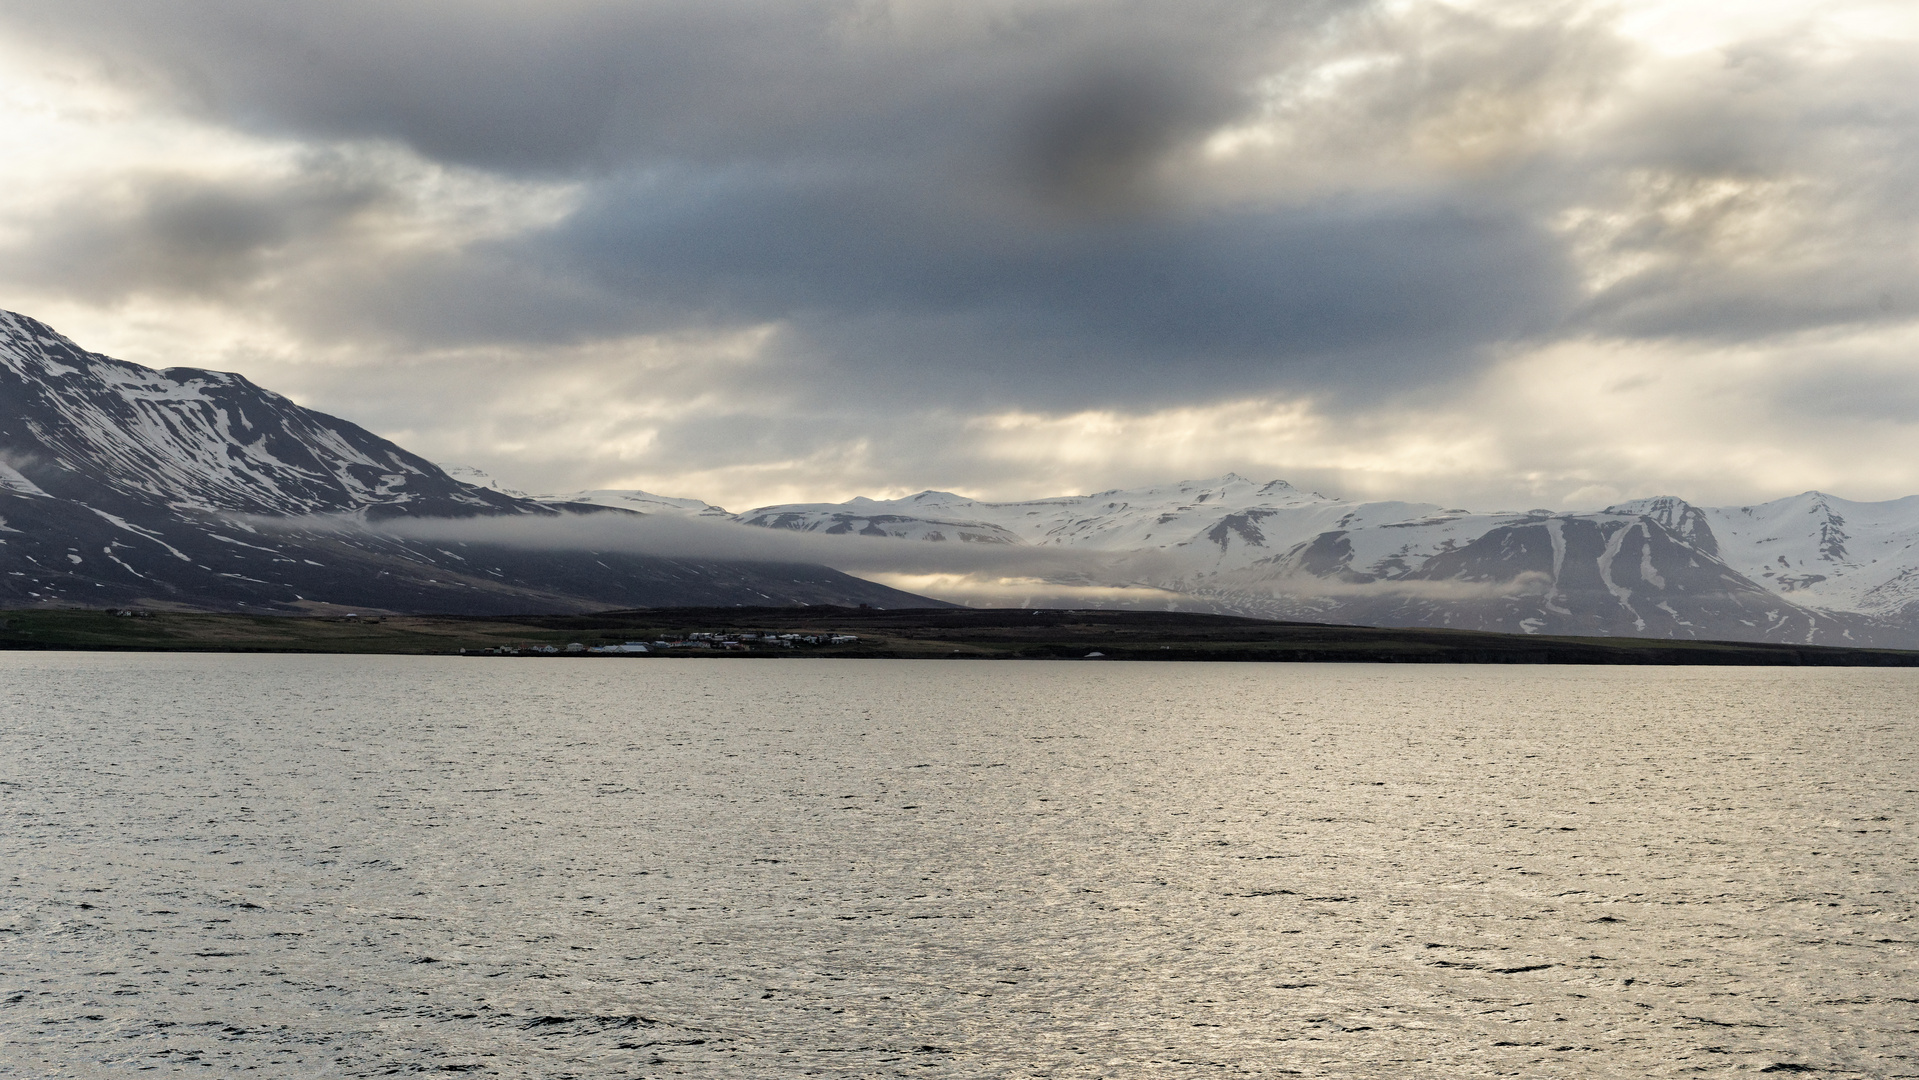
(193, 488)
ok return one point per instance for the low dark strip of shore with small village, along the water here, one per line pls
(930, 634)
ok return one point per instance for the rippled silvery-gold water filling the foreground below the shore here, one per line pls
(320, 866)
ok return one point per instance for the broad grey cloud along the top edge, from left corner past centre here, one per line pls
(569, 83)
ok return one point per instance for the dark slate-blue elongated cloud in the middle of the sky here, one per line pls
(1149, 306)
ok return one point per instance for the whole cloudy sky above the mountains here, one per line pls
(1482, 254)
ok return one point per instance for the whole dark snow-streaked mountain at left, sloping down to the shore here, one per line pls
(128, 486)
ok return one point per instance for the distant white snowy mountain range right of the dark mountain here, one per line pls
(1803, 569)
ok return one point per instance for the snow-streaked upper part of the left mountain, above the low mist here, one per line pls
(107, 433)
